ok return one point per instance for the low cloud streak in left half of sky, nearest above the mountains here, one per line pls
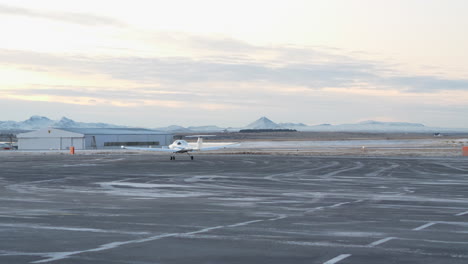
(129, 97)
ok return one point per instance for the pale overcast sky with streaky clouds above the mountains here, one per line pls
(211, 62)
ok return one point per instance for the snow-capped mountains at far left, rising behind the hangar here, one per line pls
(37, 122)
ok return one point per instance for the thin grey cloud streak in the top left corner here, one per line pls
(69, 17)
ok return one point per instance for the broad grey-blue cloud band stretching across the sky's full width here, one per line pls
(309, 67)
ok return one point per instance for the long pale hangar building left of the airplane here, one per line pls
(91, 138)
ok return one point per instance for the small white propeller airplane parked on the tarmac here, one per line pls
(181, 146)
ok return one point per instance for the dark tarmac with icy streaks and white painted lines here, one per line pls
(232, 209)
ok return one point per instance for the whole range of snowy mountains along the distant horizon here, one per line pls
(36, 122)
